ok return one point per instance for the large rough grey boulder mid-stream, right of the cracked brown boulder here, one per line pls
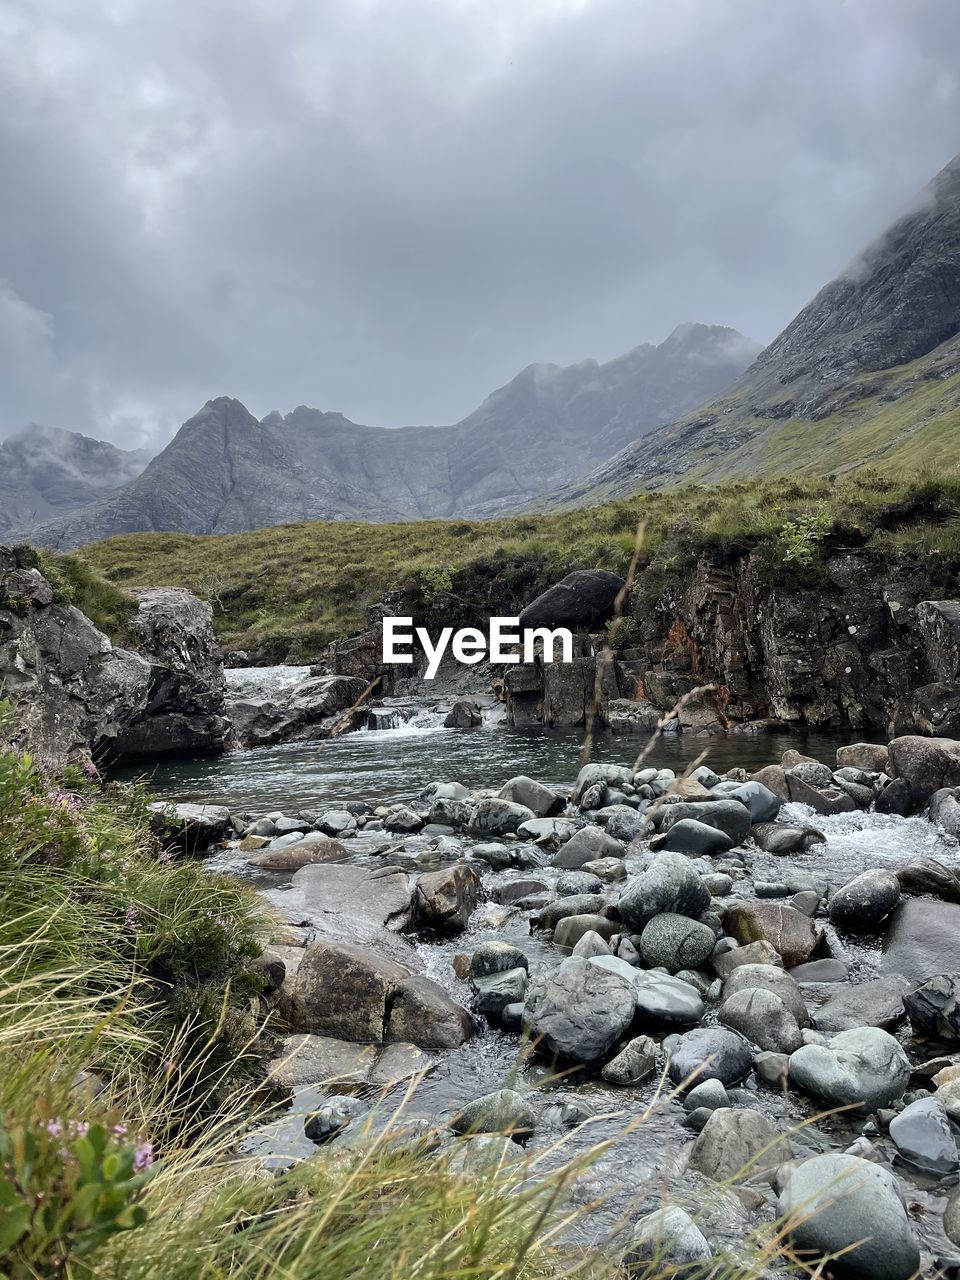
(580, 1009)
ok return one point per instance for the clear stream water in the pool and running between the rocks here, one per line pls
(382, 766)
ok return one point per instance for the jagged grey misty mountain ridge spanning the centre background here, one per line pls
(225, 472)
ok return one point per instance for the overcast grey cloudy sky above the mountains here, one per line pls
(391, 207)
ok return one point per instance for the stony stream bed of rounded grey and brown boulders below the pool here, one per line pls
(689, 948)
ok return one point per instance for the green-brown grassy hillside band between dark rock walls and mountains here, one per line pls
(287, 592)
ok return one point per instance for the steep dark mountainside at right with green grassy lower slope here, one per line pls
(867, 373)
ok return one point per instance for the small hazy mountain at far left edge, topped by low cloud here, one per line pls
(45, 472)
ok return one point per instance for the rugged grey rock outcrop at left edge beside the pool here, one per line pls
(80, 696)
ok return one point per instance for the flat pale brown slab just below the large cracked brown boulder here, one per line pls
(308, 1059)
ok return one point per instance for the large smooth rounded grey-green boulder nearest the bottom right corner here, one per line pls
(836, 1201)
